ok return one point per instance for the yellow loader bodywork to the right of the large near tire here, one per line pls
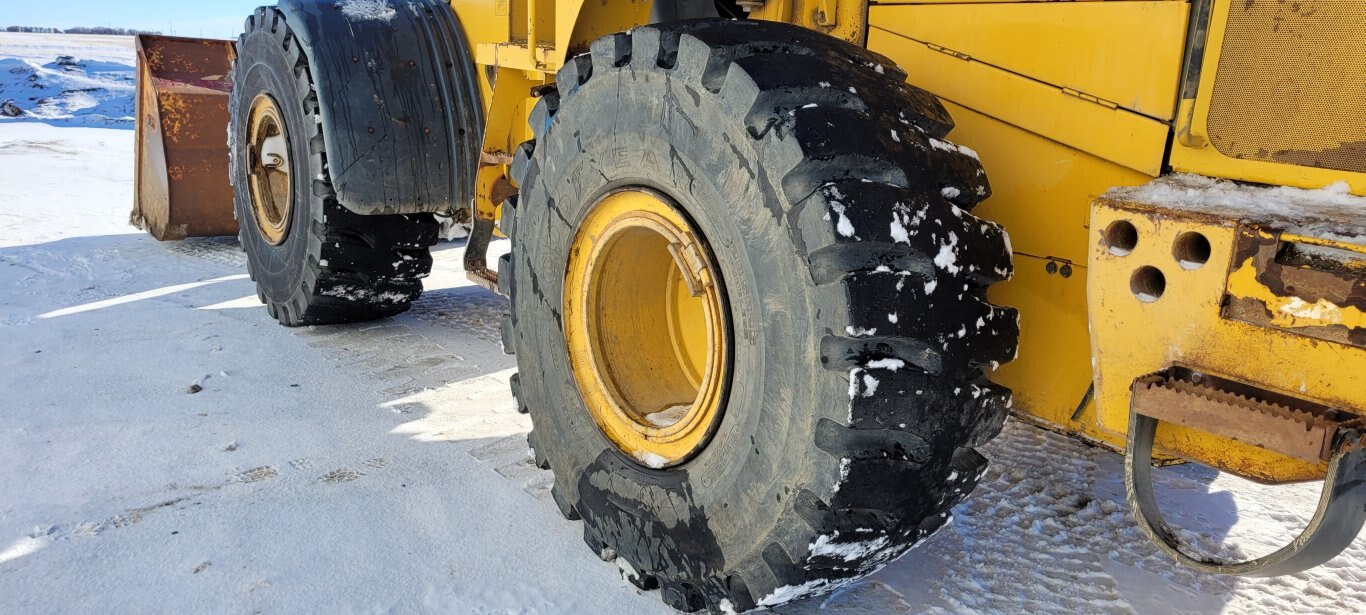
(1065, 102)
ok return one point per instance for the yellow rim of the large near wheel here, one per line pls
(647, 326)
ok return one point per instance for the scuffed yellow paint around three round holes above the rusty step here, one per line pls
(1185, 327)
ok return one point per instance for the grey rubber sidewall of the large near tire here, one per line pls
(762, 456)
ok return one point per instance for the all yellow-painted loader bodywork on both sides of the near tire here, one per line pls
(1066, 102)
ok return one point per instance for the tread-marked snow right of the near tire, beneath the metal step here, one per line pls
(1048, 531)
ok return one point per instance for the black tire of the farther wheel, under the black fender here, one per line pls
(334, 266)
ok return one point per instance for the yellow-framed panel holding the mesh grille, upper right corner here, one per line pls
(1245, 80)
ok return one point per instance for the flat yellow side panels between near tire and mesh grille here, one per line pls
(1042, 188)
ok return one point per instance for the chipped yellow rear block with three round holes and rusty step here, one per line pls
(1200, 319)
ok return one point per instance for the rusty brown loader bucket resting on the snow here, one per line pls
(182, 170)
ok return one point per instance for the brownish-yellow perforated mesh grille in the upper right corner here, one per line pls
(1292, 84)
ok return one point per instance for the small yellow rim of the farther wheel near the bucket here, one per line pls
(268, 172)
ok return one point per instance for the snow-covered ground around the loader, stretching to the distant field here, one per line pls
(385, 468)
